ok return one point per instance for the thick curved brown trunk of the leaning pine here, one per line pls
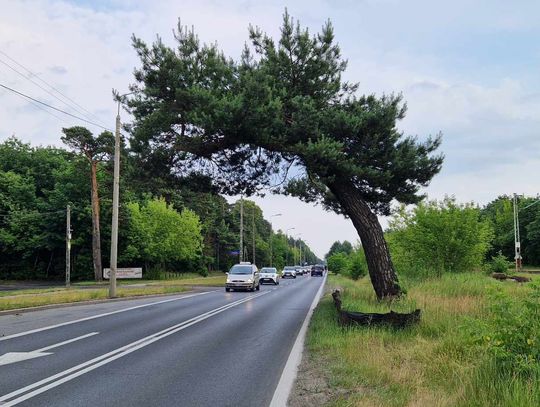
(381, 270)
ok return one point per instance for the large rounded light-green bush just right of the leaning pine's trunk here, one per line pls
(438, 237)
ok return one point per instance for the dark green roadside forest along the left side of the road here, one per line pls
(167, 223)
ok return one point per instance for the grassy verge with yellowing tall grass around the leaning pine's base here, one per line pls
(436, 363)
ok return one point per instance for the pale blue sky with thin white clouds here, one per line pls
(467, 69)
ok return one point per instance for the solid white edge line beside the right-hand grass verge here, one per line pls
(286, 381)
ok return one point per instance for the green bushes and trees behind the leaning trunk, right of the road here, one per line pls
(437, 237)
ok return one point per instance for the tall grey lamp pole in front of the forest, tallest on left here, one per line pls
(116, 198)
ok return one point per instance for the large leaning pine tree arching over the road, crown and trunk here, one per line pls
(282, 109)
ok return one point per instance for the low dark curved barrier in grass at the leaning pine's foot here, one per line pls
(395, 319)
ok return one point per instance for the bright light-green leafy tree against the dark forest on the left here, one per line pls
(159, 235)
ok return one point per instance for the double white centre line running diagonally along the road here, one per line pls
(90, 365)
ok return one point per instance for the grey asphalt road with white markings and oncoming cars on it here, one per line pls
(202, 349)
